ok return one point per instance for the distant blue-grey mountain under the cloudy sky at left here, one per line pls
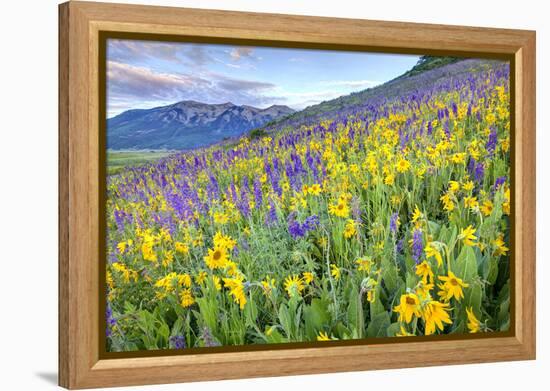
(186, 125)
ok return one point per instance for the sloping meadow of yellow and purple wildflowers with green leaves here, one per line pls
(388, 219)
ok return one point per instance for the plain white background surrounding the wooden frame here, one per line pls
(28, 193)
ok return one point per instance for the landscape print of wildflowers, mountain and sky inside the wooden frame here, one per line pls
(261, 195)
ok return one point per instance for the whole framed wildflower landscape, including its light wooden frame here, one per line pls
(247, 195)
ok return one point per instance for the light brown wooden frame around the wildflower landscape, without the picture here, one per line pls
(81, 364)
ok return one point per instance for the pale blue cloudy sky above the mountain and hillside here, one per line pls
(146, 74)
